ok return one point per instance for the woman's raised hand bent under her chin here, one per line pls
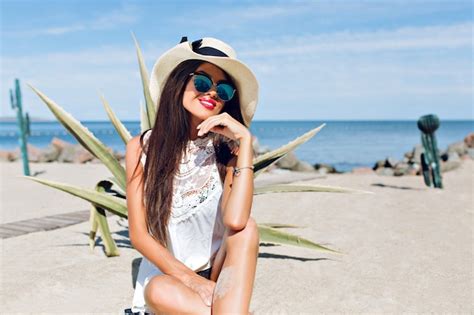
(225, 125)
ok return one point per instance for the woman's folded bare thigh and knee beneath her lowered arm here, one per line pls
(165, 293)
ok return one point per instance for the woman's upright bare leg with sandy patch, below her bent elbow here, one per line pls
(234, 285)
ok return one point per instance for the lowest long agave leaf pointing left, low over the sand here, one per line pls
(115, 205)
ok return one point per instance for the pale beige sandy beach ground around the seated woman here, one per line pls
(407, 248)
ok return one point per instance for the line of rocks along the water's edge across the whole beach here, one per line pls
(66, 152)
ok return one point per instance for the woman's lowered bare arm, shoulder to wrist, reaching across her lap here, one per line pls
(139, 236)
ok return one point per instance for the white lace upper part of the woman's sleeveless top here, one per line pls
(196, 180)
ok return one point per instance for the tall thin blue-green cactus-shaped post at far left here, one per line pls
(23, 124)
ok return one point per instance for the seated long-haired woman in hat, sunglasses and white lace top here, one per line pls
(190, 185)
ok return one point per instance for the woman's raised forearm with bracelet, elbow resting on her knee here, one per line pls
(238, 190)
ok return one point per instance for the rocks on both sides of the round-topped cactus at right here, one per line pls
(450, 159)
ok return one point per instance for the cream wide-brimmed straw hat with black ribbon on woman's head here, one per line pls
(216, 52)
